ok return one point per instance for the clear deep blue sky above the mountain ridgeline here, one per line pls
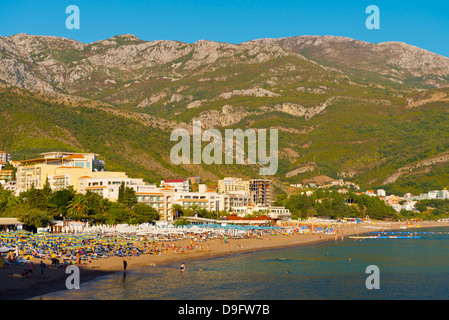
(421, 23)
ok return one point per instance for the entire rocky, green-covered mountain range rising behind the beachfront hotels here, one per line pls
(373, 114)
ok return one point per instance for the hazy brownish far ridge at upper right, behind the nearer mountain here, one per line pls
(395, 61)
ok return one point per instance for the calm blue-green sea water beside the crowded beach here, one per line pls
(409, 269)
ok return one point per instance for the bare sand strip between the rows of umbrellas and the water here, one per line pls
(17, 288)
